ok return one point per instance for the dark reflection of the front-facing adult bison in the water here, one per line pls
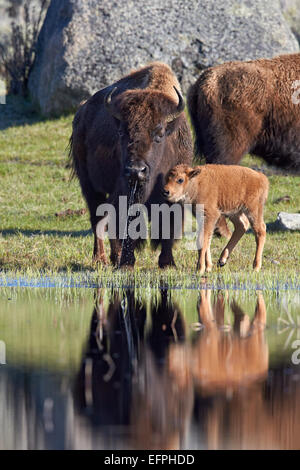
(124, 379)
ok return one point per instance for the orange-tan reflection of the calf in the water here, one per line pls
(225, 357)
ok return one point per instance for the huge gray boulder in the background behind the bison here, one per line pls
(85, 45)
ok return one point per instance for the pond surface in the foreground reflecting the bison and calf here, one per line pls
(149, 369)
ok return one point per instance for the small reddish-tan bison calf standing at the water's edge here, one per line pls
(236, 192)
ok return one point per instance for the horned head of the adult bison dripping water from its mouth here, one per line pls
(145, 119)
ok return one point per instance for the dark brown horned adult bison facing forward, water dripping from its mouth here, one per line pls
(129, 135)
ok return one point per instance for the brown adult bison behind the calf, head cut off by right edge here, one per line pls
(249, 107)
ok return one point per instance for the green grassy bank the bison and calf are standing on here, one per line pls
(33, 240)
